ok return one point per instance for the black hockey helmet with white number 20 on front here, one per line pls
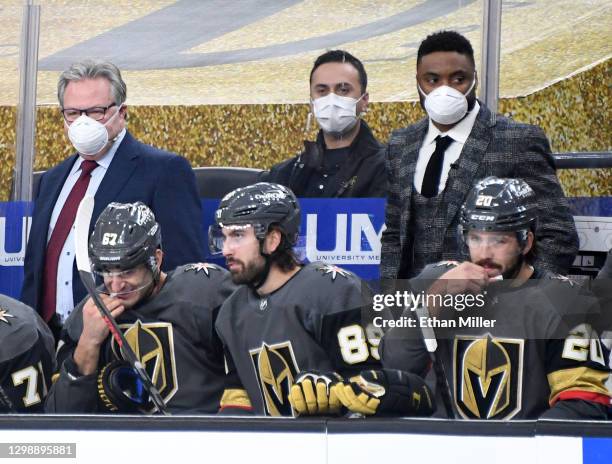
(499, 205)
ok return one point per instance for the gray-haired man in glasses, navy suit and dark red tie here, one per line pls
(113, 166)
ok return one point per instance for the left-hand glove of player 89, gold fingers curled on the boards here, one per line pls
(313, 394)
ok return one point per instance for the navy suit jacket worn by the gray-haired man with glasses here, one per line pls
(162, 180)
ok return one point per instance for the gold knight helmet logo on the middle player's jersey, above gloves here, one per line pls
(275, 368)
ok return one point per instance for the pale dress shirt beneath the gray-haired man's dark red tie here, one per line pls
(64, 300)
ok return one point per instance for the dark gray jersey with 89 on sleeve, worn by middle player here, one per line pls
(313, 322)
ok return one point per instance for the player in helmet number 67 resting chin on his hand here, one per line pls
(168, 320)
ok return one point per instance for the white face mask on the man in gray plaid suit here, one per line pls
(446, 105)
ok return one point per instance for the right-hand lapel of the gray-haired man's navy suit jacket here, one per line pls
(120, 170)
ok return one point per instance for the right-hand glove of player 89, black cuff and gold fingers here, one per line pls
(387, 392)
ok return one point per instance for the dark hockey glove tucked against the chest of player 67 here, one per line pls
(121, 389)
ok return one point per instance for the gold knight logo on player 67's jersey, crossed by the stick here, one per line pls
(153, 344)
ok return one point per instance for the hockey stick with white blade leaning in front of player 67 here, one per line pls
(81, 242)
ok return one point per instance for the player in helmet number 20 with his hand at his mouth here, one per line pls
(524, 349)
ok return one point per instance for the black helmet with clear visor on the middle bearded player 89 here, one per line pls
(259, 205)
